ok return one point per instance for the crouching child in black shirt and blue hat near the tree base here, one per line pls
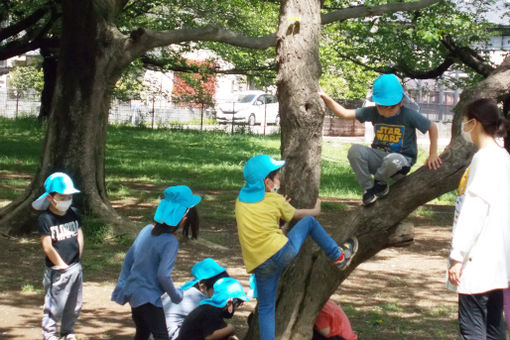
(207, 320)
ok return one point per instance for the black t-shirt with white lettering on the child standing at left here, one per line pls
(63, 231)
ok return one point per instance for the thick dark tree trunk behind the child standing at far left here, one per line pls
(76, 134)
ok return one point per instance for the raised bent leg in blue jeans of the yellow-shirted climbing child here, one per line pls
(310, 226)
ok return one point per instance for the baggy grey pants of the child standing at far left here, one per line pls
(62, 299)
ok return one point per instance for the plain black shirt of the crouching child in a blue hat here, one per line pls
(202, 322)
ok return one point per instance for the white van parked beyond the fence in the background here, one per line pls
(250, 107)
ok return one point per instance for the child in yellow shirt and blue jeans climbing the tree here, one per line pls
(266, 250)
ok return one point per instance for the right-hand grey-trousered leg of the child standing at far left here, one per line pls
(73, 305)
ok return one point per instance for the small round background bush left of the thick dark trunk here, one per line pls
(25, 78)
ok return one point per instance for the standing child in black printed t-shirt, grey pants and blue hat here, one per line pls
(62, 243)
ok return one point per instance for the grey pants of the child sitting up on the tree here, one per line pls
(366, 162)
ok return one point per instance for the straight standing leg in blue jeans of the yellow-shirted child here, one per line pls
(266, 277)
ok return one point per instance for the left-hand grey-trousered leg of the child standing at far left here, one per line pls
(54, 301)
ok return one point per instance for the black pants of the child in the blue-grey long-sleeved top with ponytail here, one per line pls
(149, 319)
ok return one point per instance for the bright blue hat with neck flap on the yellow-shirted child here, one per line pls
(255, 171)
